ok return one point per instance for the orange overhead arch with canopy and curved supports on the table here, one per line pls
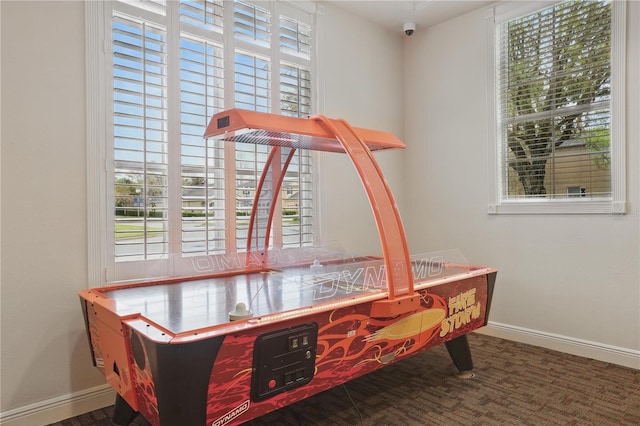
(324, 134)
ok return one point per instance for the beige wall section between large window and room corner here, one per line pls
(360, 67)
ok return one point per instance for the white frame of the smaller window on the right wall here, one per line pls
(617, 203)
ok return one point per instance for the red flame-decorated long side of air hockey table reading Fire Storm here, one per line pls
(213, 381)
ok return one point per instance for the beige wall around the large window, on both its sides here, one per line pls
(45, 361)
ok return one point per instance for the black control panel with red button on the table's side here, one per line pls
(283, 359)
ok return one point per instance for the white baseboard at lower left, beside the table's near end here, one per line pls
(59, 408)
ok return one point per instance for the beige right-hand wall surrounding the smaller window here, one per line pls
(572, 279)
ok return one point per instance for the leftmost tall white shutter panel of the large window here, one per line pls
(139, 138)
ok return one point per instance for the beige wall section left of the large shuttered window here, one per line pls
(44, 248)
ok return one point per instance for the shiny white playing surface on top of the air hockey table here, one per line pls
(184, 306)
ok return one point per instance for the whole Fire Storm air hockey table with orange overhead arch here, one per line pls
(234, 336)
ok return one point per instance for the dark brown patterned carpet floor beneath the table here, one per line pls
(514, 384)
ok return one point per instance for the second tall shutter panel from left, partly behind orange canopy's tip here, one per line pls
(203, 185)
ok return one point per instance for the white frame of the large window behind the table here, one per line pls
(100, 161)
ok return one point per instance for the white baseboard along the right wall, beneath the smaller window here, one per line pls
(598, 351)
